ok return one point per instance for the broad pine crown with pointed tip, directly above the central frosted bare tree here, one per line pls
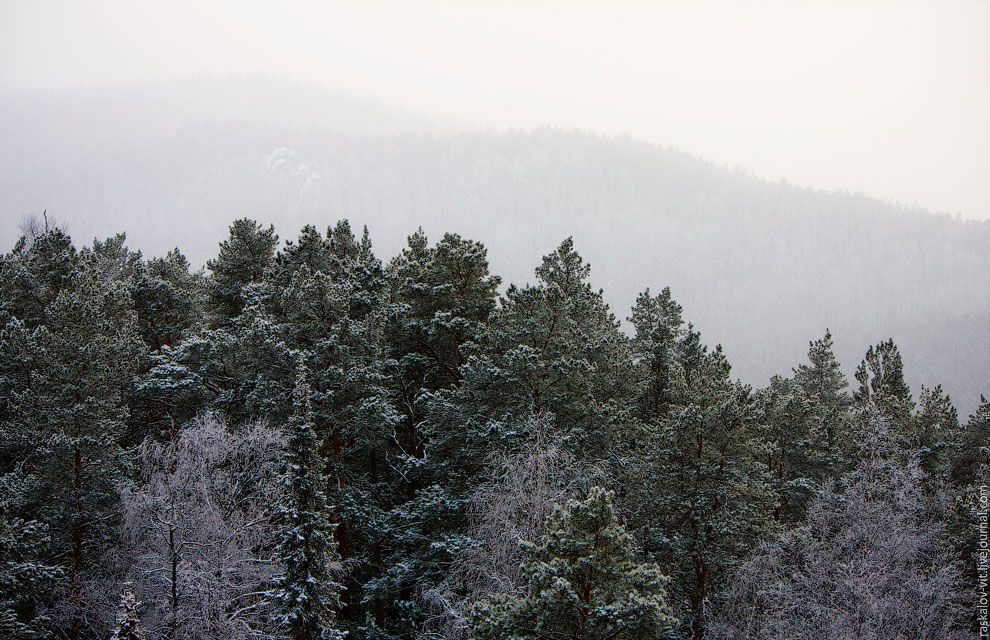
(557, 347)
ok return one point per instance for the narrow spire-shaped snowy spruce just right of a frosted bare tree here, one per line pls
(307, 594)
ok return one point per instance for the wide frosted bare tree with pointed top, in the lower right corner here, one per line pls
(873, 561)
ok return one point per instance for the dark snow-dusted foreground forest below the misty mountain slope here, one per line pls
(303, 441)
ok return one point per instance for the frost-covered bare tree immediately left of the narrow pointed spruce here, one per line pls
(199, 530)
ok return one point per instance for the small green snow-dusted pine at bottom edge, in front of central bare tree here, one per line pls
(583, 582)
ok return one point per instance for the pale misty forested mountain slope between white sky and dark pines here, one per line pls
(760, 267)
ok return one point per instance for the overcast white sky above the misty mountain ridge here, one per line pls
(892, 99)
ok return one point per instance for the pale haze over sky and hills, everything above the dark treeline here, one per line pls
(860, 132)
